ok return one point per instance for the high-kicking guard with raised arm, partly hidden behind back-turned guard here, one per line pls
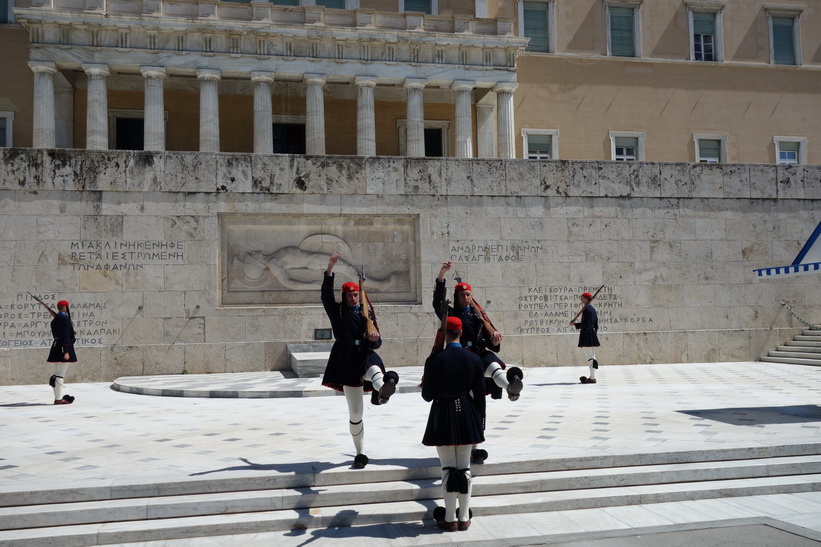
(482, 338)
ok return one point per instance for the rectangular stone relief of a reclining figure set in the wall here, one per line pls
(279, 259)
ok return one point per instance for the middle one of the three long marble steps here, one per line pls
(176, 506)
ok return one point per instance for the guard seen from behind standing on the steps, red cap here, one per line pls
(455, 385)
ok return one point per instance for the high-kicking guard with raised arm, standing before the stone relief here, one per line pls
(354, 367)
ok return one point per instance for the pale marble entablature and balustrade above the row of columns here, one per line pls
(237, 38)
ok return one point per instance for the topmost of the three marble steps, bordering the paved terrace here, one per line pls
(309, 477)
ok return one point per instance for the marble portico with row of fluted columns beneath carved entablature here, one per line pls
(280, 67)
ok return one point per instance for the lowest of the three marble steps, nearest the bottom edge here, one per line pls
(395, 511)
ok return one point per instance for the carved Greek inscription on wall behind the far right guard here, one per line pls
(548, 310)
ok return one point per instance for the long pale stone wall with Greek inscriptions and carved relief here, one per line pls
(212, 262)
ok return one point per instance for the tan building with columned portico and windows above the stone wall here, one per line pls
(718, 81)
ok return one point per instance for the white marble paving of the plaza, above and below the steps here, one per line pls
(110, 438)
